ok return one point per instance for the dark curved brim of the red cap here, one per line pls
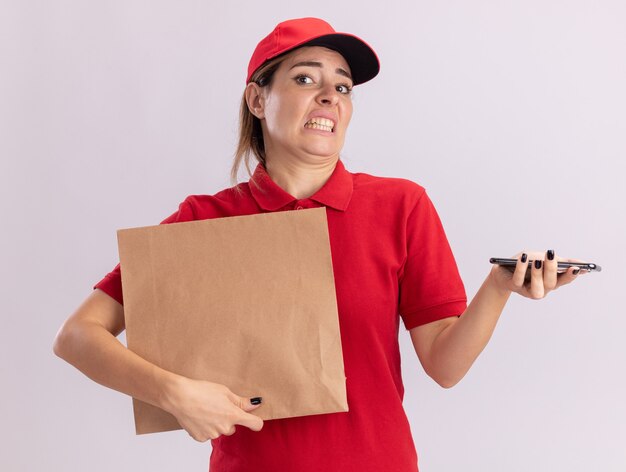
(361, 58)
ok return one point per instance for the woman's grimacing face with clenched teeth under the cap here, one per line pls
(306, 109)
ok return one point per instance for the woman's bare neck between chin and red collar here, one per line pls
(299, 179)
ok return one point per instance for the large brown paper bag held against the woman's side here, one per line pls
(245, 301)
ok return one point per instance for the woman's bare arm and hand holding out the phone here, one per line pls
(447, 348)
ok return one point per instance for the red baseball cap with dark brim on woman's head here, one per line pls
(292, 34)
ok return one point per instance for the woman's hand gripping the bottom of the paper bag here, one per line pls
(207, 410)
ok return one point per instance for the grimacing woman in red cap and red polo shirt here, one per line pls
(391, 261)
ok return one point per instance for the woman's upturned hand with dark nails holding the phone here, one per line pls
(543, 275)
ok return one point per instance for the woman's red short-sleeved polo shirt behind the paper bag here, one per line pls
(391, 261)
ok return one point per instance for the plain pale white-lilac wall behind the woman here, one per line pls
(510, 113)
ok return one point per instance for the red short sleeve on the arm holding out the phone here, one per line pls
(430, 285)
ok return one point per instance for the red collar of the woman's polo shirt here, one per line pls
(335, 193)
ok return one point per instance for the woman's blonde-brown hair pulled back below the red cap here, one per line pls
(250, 141)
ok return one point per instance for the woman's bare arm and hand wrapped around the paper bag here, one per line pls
(88, 341)
